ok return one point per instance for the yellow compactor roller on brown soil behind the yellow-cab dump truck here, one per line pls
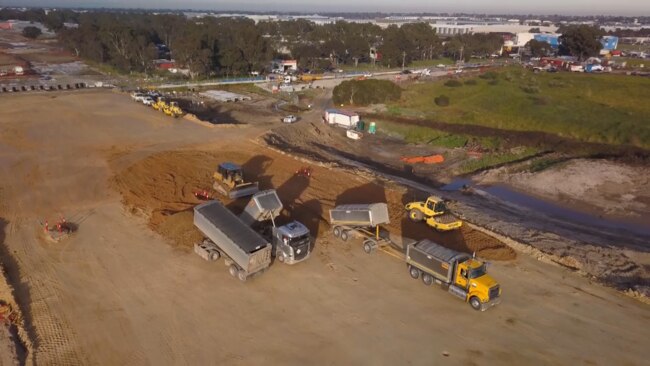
(435, 213)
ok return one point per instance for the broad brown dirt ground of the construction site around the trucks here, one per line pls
(126, 289)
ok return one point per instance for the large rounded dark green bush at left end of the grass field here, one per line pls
(365, 92)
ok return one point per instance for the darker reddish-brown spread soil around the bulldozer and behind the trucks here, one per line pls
(162, 186)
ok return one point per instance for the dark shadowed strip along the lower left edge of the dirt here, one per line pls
(22, 295)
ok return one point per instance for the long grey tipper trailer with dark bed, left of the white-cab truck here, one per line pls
(244, 250)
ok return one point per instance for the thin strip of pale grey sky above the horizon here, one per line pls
(565, 7)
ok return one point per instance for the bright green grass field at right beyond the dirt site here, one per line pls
(603, 108)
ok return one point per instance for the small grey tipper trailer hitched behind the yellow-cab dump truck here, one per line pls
(361, 220)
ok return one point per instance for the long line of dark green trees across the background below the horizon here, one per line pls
(223, 46)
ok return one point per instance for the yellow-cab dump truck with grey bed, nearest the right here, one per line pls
(459, 273)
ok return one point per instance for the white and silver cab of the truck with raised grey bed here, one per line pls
(291, 242)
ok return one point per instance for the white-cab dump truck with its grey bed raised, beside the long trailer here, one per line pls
(291, 242)
